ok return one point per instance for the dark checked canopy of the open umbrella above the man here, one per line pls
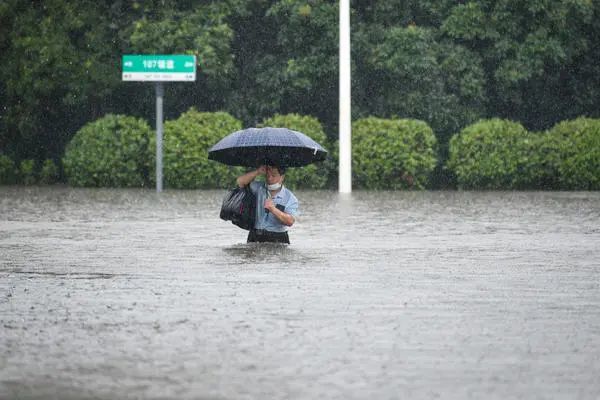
(267, 146)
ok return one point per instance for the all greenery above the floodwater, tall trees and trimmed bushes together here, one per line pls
(468, 71)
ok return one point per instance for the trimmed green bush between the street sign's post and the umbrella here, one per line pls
(185, 151)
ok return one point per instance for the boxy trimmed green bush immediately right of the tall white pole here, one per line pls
(392, 153)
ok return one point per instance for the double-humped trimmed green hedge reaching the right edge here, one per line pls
(501, 154)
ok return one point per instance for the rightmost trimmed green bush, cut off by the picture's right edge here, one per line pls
(576, 146)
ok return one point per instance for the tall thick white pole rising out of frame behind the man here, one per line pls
(345, 164)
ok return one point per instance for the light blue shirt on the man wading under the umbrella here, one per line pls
(266, 220)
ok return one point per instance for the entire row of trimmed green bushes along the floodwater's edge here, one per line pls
(119, 151)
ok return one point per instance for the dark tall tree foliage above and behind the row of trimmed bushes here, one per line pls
(444, 62)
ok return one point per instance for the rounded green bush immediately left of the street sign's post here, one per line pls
(110, 151)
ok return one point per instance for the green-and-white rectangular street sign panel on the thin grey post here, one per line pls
(159, 68)
